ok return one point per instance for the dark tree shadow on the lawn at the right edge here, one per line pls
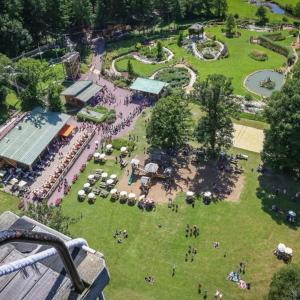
(280, 190)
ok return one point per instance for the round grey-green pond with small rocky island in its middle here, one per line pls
(253, 82)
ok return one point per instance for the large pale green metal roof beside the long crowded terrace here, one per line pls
(26, 141)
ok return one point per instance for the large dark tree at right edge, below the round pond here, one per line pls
(282, 140)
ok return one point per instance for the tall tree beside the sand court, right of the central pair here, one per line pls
(215, 128)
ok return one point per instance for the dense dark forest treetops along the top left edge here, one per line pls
(25, 23)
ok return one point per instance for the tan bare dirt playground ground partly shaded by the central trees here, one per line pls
(197, 177)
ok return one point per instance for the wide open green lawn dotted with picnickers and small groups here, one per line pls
(246, 231)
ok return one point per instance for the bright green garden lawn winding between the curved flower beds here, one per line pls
(238, 65)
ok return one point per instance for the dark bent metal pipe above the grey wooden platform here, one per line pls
(9, 236)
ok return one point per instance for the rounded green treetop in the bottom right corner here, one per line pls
(285, 284)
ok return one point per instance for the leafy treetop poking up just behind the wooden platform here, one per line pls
(50, 216)
